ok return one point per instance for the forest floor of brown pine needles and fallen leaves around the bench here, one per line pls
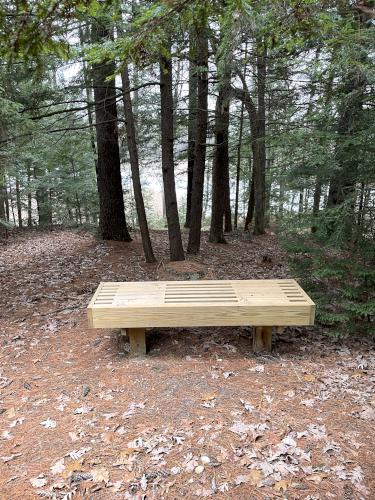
(199, 416)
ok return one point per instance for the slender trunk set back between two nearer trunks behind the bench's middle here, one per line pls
(193, 81)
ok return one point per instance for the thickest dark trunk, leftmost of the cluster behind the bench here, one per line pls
(112, 222)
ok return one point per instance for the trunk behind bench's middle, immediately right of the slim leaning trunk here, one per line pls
(166, 114)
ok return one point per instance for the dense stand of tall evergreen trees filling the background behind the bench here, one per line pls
(269, 104)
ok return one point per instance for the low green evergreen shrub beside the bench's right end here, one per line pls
(341, 282)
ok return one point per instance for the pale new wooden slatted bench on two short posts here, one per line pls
(134, 306)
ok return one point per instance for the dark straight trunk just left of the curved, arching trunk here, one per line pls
(220, 167)
